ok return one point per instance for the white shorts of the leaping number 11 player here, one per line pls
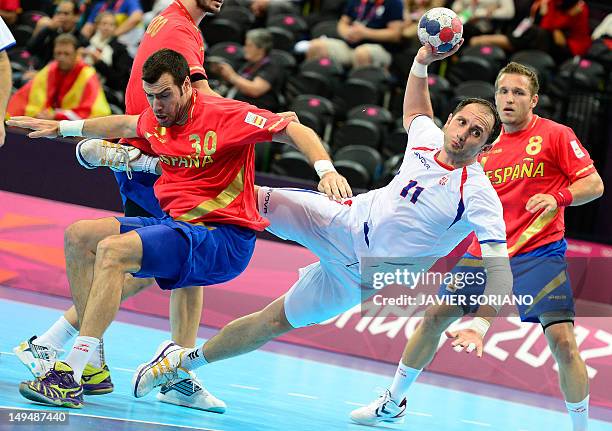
(328, 287)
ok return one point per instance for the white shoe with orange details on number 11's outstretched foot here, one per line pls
(160, 370)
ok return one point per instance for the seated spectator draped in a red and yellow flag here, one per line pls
(66, 88)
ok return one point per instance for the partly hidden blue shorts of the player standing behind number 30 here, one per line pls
(140, 191)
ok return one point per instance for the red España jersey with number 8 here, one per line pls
(542, 158)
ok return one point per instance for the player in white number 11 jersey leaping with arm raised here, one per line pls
(438, 197)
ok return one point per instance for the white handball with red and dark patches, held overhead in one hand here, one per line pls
(440, 27)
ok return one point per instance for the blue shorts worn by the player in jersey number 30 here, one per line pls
(179, 254)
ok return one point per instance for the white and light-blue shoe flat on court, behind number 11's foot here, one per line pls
(187, 391)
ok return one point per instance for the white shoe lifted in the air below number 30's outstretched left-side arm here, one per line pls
(92, 153)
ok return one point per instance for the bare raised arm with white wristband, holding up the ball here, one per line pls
(416, 97)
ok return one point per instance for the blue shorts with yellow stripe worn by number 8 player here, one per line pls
(540, 273)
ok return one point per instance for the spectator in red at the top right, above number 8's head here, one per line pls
(563, 30)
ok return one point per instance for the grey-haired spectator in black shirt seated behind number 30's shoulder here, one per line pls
(259, 81)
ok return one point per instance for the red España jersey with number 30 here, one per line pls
(208, 164)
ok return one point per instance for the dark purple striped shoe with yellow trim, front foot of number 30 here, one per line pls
(56, 388)
